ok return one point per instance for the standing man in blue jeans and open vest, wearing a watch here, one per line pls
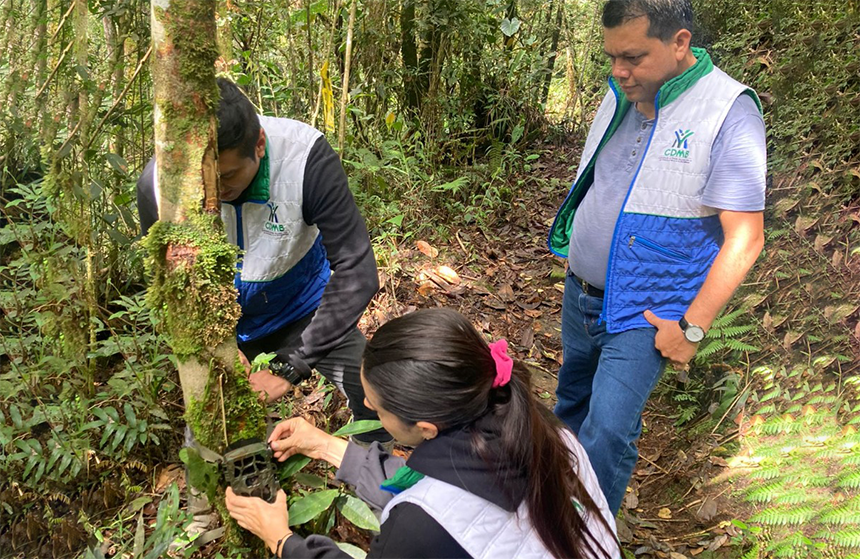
(660, 227)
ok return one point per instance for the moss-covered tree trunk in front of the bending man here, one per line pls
(191, 262)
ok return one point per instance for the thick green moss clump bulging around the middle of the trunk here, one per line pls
(192, 286)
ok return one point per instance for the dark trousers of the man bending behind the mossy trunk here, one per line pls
(341, 366)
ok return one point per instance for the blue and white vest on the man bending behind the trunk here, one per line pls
(284, 269)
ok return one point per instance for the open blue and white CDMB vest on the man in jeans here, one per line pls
(665, 239)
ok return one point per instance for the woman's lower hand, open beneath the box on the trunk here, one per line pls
(269, 522)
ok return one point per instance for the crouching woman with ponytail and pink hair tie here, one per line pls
(493, 475)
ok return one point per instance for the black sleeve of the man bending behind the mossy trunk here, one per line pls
(328, 204)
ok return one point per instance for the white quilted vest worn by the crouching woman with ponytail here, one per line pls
(487, 531)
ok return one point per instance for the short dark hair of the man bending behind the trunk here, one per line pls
(238, 125)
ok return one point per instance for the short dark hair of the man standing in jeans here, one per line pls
(665, 17)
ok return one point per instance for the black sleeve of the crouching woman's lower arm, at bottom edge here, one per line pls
(408, 533)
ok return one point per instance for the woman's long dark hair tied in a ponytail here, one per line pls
(432, 365)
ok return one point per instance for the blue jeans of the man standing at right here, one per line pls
(603, 386)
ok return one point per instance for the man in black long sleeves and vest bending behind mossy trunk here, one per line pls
(307, 271)
